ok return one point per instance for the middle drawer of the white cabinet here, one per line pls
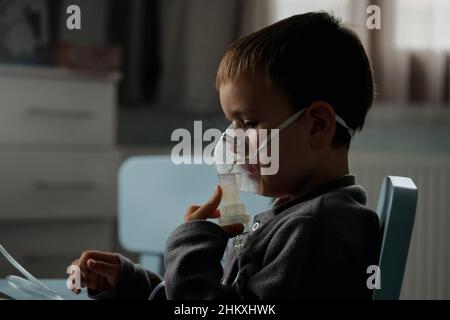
(57, 184)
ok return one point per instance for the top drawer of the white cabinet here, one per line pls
(34, 110)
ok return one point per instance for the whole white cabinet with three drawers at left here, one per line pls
(58, 165)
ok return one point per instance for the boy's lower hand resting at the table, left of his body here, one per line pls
(99, 270)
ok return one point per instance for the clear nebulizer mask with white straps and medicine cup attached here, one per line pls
(236, 158)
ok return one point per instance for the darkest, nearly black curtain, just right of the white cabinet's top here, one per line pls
(134, 26)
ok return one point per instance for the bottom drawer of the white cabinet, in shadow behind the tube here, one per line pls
(47, 249)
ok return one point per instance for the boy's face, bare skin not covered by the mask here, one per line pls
(252, 101)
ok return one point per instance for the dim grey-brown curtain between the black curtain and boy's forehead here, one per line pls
(195, 35)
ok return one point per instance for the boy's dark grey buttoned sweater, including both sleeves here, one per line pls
(317, 246)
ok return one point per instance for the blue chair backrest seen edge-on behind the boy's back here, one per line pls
(396, 211)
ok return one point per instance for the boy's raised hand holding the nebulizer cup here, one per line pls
(209, 211)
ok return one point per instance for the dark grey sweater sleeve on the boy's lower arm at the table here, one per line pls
(134, 283)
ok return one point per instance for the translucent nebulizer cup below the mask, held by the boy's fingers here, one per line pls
(233, 210)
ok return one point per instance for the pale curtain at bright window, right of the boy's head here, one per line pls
(411, 51)
